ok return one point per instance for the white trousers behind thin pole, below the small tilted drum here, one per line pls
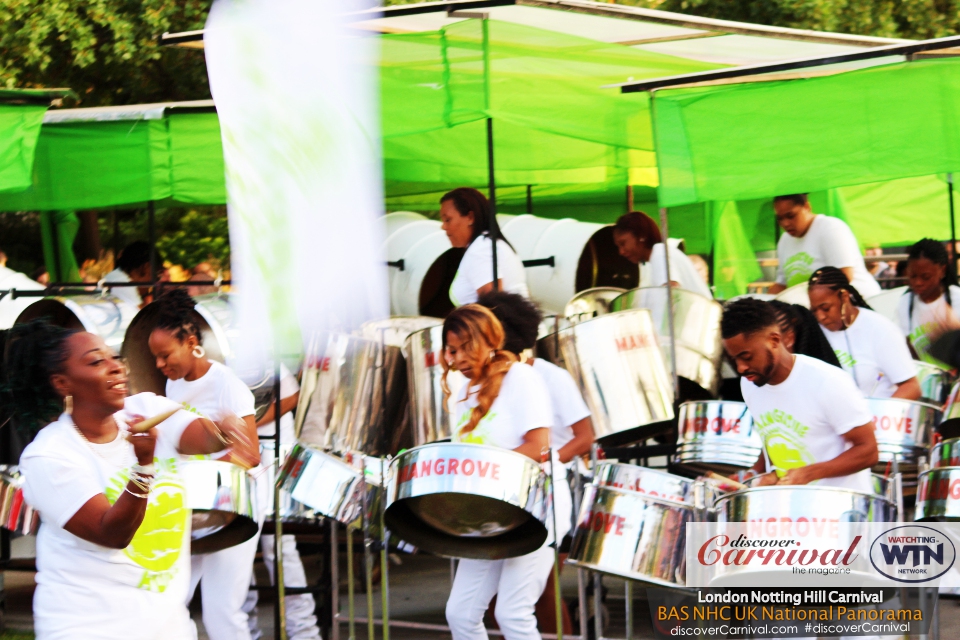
(301, 617)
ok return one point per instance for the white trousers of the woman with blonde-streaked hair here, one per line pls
(517, 583)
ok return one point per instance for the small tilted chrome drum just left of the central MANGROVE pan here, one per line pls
(330, 485)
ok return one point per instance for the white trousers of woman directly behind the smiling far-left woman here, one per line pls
(224, 578)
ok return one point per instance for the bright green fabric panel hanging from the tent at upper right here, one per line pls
(759, 139)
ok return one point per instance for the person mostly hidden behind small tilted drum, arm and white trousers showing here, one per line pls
(300, 609)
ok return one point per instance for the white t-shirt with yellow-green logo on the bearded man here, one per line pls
(802, 419)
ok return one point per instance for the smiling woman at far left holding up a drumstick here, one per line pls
(112, 554)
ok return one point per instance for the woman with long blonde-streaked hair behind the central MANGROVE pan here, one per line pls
(504, 405)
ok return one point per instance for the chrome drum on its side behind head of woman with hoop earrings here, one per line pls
(216, 319)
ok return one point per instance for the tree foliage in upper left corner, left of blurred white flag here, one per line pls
(105, 50)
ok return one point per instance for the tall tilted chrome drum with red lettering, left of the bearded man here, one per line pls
(619, 367)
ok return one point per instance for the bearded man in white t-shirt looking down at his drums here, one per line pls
(814, 421)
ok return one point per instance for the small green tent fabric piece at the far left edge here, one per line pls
(19, 130)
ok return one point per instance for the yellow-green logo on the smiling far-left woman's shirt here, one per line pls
(158, 543)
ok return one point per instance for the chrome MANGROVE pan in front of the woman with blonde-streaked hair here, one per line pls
(467, 501)
